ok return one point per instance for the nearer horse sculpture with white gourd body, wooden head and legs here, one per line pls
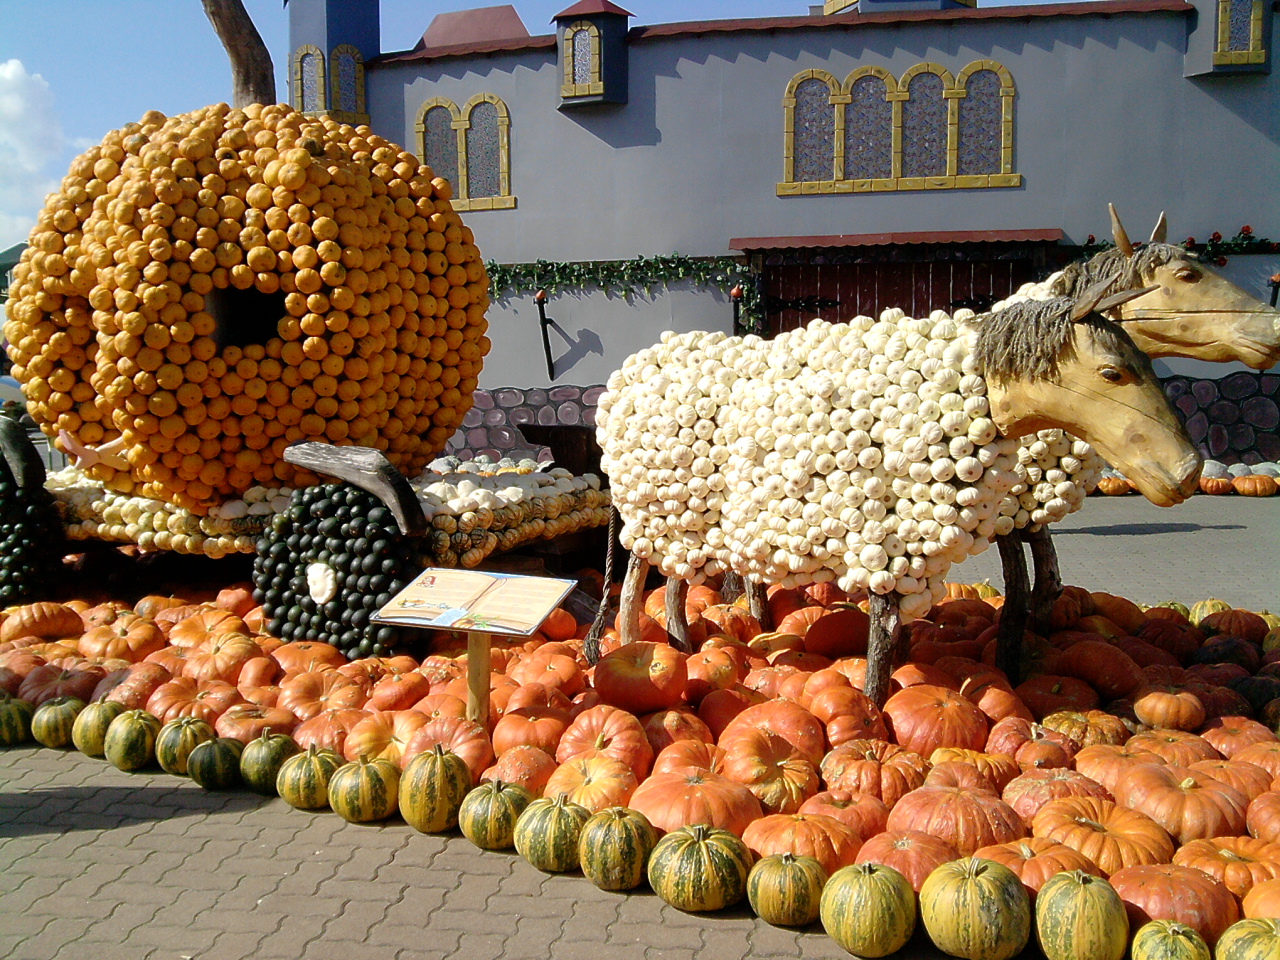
(874, 454)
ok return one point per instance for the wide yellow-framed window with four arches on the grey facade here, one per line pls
(926, 130)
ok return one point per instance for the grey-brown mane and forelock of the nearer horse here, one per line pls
(1031, 340)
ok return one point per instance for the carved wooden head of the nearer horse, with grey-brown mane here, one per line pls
(1063, 364)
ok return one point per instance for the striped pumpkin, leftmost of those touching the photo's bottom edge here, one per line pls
(868, 909)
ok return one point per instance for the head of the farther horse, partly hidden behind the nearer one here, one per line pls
(1191, 312)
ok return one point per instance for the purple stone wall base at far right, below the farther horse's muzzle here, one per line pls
(1233, 420)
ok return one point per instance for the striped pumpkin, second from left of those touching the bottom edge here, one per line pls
(976, 909)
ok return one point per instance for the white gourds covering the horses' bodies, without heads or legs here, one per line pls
(858, 452)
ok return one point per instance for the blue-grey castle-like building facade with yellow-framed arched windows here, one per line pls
(922, 154)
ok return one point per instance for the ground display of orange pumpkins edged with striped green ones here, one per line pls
(1126, 797)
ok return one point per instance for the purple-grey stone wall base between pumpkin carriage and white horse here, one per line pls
(491, 427)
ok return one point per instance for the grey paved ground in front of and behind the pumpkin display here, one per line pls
(97, 865)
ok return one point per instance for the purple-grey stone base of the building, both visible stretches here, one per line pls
(1233, 420)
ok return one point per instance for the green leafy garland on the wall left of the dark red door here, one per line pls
(629, 278)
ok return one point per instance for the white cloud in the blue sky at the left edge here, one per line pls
(31, 145)
